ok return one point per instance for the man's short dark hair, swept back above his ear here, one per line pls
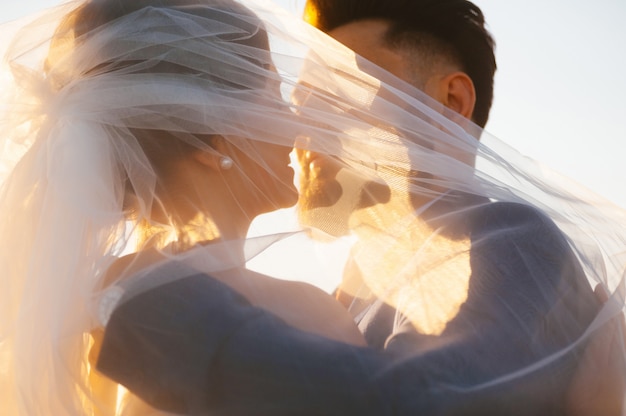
(459, 24)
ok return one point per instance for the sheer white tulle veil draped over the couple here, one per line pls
(77, 106)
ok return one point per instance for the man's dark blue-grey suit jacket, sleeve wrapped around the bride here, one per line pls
(194, 346)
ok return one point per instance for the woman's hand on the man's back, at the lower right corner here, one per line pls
(599, 384)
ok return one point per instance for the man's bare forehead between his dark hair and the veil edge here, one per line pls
(367, 38)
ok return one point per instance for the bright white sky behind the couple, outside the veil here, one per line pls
(560, 88)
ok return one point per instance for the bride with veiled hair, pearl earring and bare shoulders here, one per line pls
(155, 133)
